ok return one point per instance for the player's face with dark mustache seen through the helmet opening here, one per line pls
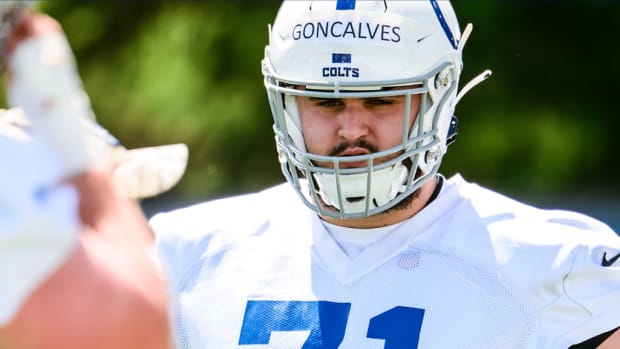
(354, 126)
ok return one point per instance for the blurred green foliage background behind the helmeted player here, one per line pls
(189, 71)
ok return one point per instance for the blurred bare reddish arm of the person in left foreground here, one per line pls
(106, 293)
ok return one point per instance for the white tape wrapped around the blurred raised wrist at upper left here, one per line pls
(45, 83)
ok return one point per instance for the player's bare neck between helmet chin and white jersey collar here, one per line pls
(390, 216)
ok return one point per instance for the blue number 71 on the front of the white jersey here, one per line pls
(327, 321)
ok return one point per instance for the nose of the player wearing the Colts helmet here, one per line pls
(354, 121)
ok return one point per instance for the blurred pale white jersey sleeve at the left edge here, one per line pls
(38, 221)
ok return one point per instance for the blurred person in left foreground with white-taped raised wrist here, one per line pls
(76, 264)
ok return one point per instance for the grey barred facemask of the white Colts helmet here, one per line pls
(344, 193)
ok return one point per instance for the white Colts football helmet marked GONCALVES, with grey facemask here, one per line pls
(361, 49)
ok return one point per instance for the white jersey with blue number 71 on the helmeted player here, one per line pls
(474, 269)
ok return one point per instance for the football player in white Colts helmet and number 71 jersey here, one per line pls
(367, 245)
